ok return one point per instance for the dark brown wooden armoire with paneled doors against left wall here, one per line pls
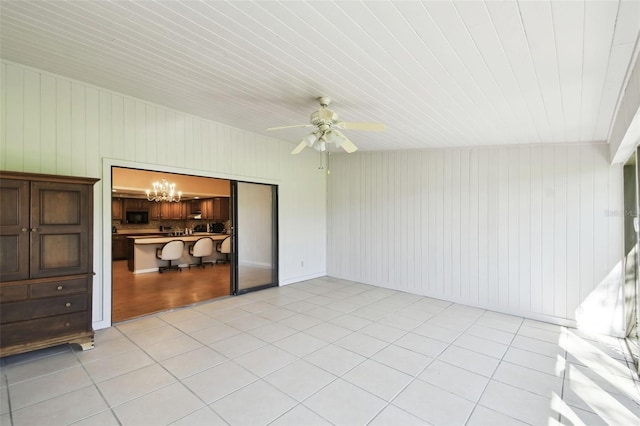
(46, 261)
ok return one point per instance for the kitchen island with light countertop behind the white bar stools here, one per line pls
(141, 251)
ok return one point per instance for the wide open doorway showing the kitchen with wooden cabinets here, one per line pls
(203, 210)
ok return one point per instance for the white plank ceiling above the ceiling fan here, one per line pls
(437, 73)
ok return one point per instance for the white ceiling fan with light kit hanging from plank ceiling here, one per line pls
(327, 130)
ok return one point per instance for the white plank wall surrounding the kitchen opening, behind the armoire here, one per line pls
(51, 124)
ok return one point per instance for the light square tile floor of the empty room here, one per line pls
(321, 352)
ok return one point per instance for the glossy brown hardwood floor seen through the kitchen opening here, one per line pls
(135, 295)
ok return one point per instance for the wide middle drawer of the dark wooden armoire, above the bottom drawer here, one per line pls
(21, 311)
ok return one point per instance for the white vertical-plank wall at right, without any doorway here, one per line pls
(529, 230)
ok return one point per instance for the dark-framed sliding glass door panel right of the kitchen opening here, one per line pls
(255, 236)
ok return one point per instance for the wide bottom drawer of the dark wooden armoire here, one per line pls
(43, 328)
